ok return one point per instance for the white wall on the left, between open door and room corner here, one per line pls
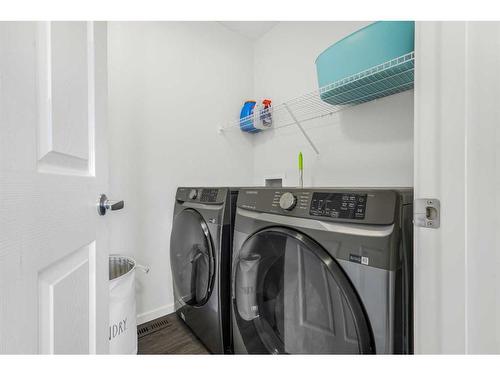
(170, 85)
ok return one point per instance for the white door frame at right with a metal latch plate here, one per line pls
(457, 160)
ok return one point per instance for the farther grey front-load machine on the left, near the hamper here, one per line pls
(200, 259)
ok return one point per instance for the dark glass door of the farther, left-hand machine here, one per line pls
(191, 258)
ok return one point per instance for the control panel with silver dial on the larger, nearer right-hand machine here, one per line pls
(370, 206)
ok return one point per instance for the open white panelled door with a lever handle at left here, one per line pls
(53, 166)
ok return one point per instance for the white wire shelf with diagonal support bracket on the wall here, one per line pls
(386, 79)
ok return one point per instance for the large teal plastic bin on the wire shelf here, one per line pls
(350, 71)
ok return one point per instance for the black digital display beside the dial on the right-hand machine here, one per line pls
(339, 205)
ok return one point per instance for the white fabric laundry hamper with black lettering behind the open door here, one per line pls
(122, 307)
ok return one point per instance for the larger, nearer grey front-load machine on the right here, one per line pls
(322, 271)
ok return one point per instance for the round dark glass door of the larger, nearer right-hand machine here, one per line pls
(291, 296)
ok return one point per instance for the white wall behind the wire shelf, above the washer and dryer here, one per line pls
(367, 145)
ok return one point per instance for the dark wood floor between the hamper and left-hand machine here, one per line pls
(174, 338)
